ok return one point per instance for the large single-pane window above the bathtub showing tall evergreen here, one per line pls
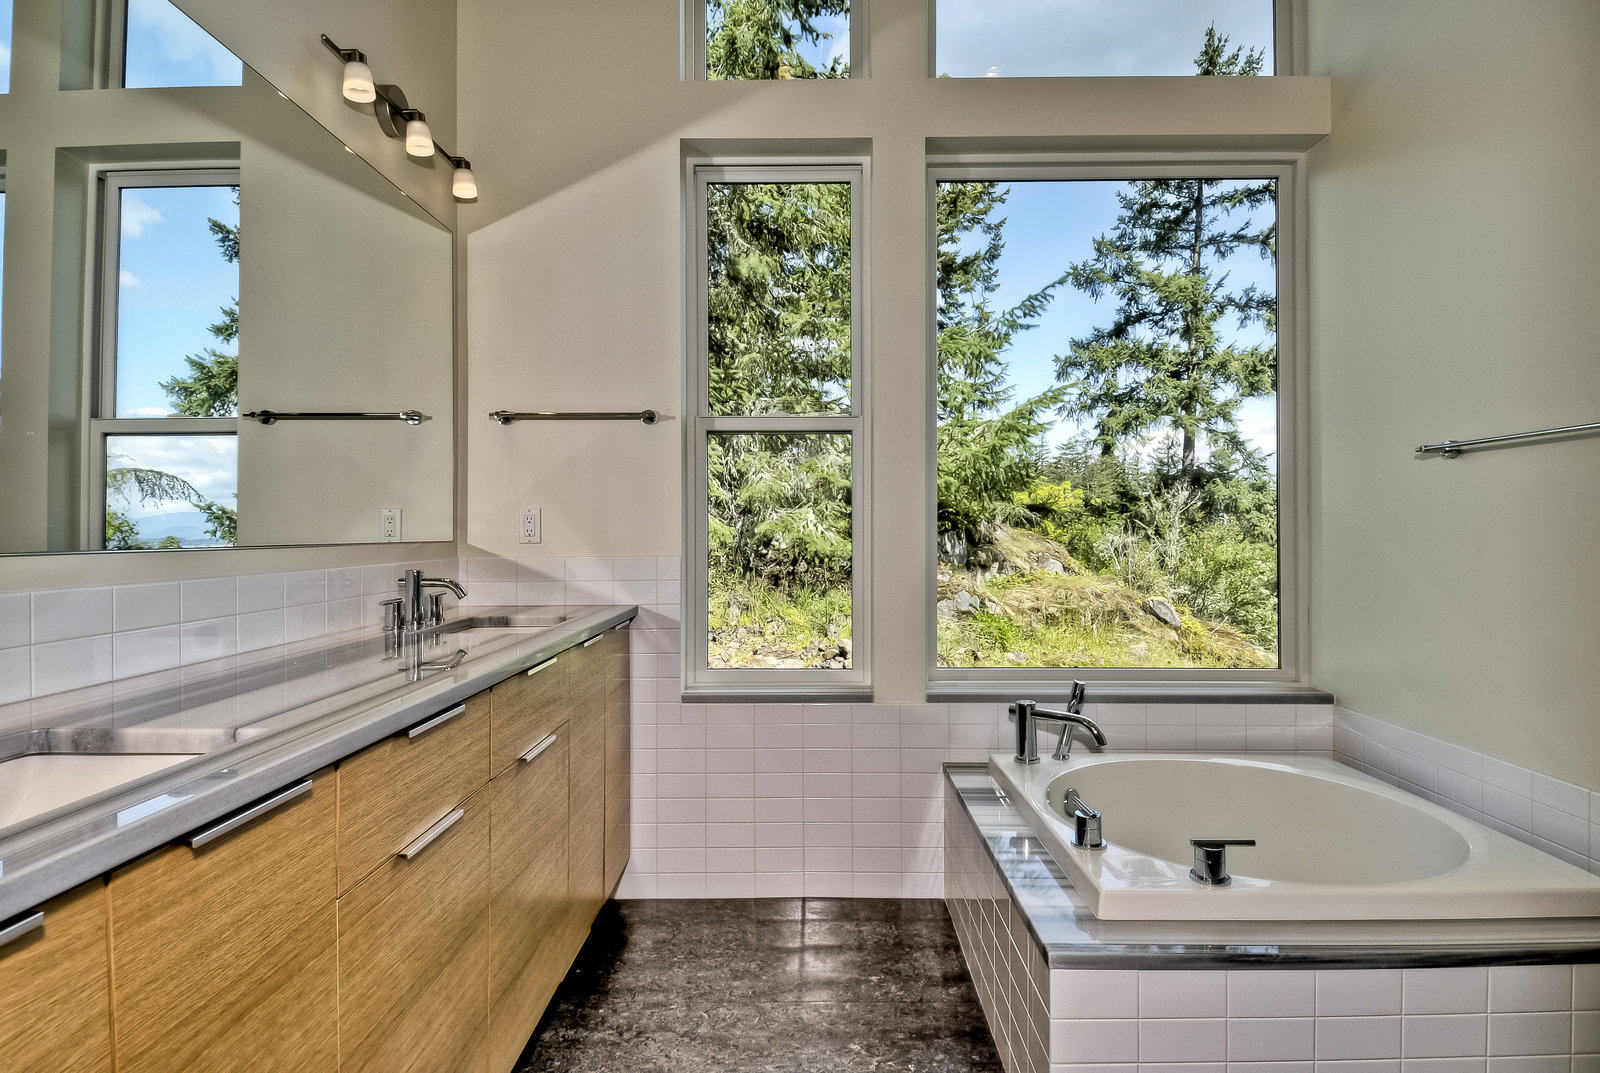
(1110, 429)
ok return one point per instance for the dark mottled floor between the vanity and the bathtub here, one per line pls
(767, 986)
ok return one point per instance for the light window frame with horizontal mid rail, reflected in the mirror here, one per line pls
(100, 380)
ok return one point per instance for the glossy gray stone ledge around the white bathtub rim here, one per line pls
(1073, 938)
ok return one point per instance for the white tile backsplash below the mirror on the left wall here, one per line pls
(66, 639)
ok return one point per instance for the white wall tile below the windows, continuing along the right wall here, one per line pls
(788, 800)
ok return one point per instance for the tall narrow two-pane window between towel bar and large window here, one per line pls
(778, 447)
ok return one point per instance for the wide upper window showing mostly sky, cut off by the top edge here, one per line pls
(982, 39)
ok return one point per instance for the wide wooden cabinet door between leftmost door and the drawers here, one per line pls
(225, 955)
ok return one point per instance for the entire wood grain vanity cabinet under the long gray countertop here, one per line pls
(410, 911)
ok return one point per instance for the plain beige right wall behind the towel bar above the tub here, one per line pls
(1455, 265)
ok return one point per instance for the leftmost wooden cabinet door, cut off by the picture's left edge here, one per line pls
(55, 989)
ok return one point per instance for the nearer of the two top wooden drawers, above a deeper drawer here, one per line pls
(394, 791)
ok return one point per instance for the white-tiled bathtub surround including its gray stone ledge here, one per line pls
(1246, 1005)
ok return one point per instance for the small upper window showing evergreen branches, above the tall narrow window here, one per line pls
(772, 39)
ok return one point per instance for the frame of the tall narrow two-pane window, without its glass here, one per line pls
(700, 425)
